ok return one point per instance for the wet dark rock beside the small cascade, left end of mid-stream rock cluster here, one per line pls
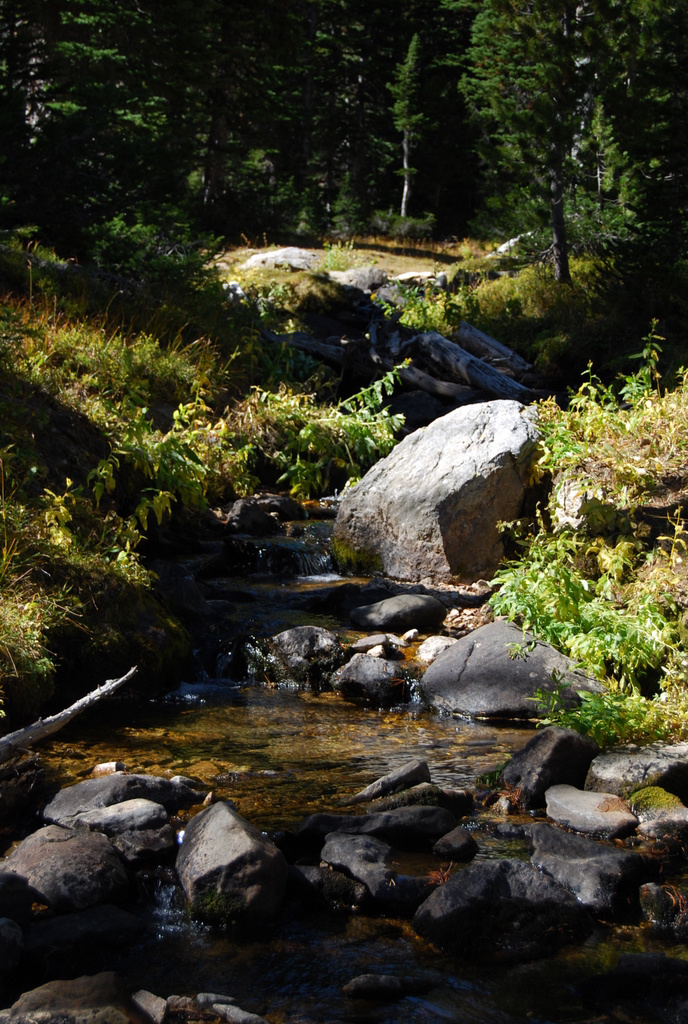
(306, 655)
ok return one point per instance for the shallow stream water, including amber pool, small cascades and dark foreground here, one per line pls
(281, 754)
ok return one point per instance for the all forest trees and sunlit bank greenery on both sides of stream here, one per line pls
(143, 141)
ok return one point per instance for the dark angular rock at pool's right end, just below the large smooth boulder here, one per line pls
(553, 757)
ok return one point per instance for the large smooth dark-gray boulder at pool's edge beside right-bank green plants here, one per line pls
(495, 672)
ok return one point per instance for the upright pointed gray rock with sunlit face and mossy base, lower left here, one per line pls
(229, 869)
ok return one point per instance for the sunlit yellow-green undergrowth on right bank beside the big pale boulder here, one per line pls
(598, 580)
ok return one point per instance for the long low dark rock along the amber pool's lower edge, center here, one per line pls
(407, 828)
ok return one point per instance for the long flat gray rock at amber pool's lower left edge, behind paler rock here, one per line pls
(98, 793)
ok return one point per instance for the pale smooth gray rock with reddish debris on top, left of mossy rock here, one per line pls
(603, 816)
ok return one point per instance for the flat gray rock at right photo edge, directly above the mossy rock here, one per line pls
(628, 769)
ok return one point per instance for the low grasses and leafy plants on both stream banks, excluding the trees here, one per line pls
(113, 429)
